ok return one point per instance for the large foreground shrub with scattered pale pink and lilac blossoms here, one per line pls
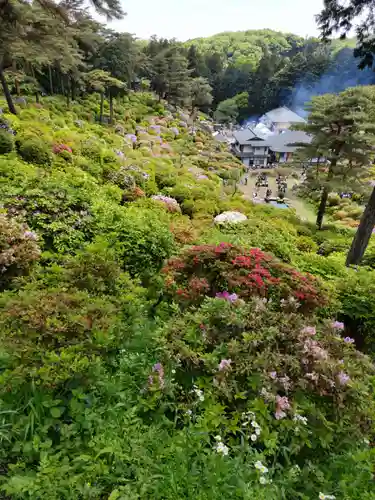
(307, 390)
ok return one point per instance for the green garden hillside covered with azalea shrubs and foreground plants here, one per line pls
(148, 353)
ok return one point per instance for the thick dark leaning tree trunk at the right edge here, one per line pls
(363, 234)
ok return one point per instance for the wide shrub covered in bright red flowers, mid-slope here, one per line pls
(209, 270)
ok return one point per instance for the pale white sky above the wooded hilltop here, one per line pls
(185, 19)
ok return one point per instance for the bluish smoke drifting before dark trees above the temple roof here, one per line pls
(342, 74)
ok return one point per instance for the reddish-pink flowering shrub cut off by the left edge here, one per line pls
(18, 250)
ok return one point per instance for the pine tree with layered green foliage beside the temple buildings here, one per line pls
(343, 133)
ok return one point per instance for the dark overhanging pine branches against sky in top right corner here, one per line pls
(339, 16)
